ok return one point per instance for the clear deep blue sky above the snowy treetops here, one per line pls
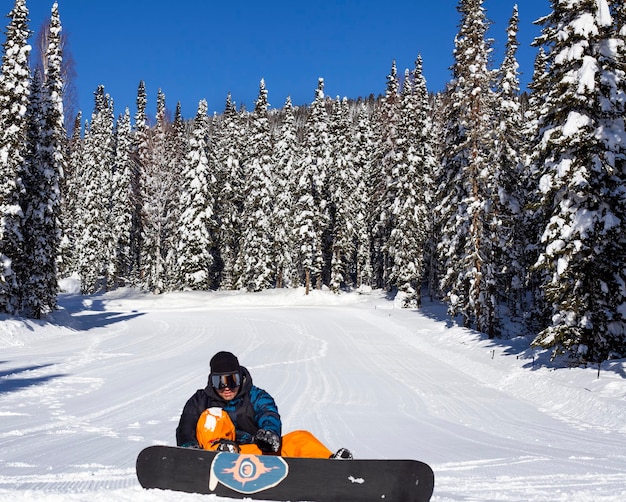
(202, 49)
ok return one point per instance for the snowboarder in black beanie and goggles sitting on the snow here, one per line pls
(231, 414)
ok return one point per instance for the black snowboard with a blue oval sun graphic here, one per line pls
(269, 477)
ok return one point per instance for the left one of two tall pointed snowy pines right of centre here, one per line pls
(384, 177)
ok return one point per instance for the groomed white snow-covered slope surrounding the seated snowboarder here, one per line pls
(107, 375)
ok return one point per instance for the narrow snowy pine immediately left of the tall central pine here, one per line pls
(286, 160)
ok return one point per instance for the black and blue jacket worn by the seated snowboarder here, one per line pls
(251, 410)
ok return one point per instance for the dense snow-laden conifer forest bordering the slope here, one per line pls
(509, 206)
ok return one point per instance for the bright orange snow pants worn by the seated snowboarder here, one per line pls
(214, 424)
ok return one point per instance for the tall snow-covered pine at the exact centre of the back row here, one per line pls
(311, 207)
